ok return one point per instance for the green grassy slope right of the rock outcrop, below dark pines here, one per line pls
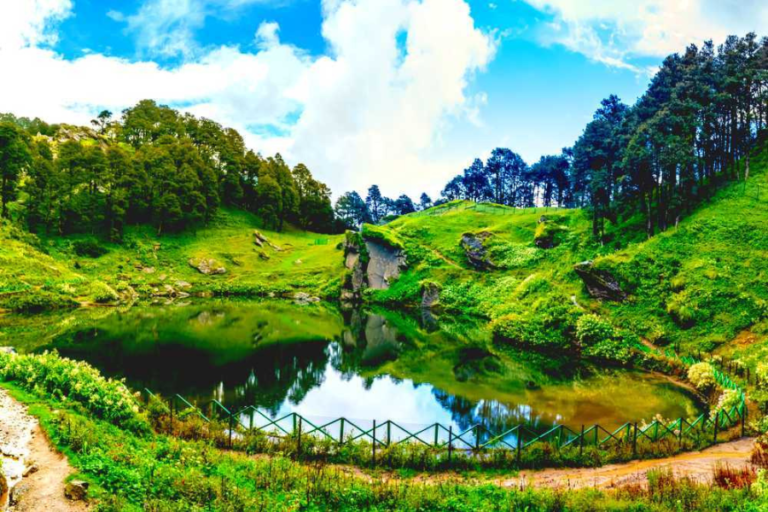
(697, 285)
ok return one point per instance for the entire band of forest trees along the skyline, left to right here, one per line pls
(656, 160)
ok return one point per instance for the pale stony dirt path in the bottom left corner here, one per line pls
(34, 471)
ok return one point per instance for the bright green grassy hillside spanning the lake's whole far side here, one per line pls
(697, 284)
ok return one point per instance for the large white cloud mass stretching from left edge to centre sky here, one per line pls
(373, 110)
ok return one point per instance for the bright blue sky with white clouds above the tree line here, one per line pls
(403, 93)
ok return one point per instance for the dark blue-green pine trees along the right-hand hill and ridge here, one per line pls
(692, 130)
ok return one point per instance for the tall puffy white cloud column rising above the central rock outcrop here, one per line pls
(373, 111)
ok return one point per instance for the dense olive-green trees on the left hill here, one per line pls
(154, 166)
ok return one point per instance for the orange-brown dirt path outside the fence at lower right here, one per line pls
(698, 466)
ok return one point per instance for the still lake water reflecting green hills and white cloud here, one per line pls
(325, 363)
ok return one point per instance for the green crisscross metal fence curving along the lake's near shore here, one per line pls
(476, 438)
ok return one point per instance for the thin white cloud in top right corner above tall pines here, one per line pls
(615, 31)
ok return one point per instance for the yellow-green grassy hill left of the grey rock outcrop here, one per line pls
(160, 265)
